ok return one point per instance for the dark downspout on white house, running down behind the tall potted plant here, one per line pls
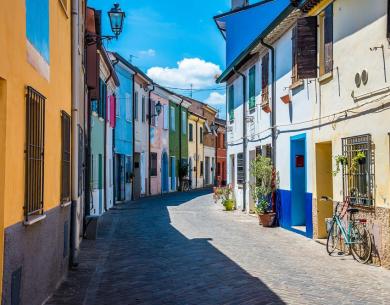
(273, 110)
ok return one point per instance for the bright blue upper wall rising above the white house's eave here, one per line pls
(243, 27)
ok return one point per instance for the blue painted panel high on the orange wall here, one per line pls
(37, 26)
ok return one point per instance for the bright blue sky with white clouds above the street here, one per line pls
(176, 42)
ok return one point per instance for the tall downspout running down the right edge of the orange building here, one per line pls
(74, 247)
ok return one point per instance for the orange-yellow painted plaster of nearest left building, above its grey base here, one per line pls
(18, 74)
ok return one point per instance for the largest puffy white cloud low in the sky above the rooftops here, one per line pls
(195, 71)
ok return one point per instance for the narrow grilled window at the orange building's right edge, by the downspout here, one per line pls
(65, 156)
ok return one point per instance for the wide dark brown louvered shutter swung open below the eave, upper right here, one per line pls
(306, 47)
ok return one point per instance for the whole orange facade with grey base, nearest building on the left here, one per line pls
(35, 104)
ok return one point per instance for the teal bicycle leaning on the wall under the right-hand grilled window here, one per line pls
(356, 236)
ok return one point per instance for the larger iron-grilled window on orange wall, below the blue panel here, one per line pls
(35, 148)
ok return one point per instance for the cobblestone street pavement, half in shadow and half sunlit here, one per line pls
(184, 249)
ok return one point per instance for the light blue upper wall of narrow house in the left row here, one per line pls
(124, 128)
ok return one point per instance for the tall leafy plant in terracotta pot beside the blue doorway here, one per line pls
(266, 183)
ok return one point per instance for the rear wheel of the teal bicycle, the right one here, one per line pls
(361, 245)
